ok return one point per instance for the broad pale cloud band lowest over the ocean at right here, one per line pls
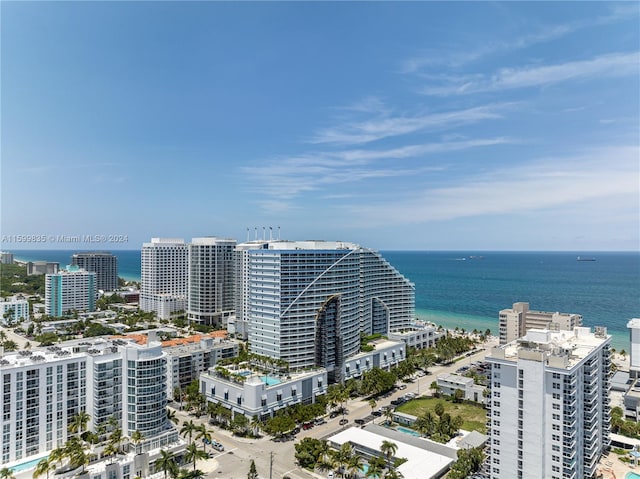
(547, 183)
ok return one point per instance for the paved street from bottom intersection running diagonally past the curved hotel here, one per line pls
(275, 460)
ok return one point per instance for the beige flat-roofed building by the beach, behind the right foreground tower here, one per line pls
(515, 322)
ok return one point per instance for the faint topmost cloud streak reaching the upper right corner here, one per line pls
(547, 33)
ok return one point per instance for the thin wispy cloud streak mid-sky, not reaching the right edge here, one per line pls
(370, 130)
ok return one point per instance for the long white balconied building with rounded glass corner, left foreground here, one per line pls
(43, 389)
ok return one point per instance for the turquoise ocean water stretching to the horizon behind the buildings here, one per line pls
(467, 289)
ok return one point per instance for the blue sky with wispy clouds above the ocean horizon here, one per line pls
(417, 125)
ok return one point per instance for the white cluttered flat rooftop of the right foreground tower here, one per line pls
(561, 349)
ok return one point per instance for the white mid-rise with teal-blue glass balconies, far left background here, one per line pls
(69, 290)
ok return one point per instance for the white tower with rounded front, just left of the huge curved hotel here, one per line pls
(210, 292)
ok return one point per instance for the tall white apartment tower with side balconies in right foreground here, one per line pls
(548, 411)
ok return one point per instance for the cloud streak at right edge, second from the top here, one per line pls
(613, 65)
